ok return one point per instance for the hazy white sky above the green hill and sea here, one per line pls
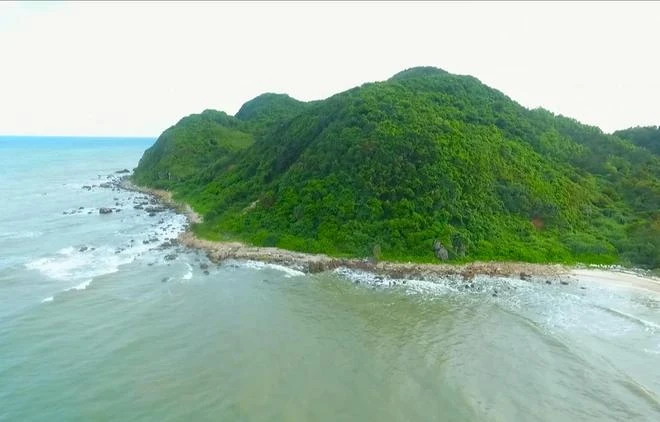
(130, 68)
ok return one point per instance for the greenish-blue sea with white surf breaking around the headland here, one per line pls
(103, 319)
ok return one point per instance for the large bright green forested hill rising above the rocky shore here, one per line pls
(387, 168)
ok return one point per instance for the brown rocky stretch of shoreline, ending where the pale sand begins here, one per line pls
(313, 263)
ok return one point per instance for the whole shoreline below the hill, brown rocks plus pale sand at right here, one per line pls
(218, 251)
